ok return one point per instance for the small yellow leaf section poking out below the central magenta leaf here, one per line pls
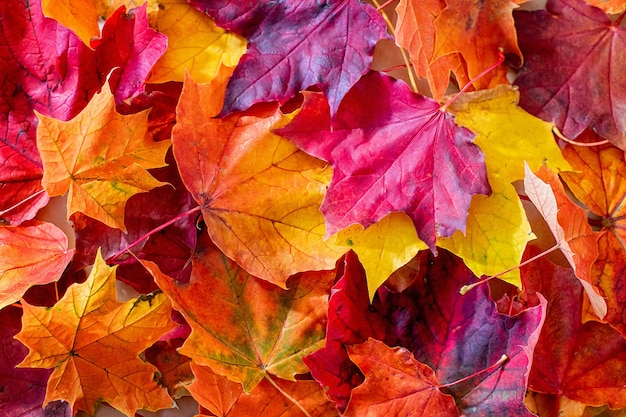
(383, 247)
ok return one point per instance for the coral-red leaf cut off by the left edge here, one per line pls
(32, 253)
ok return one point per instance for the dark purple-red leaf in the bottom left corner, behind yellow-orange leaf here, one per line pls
(22, 391)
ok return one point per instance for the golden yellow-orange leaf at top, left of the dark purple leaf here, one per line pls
(195, 44)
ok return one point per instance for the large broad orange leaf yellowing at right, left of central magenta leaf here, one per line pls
(259, 194)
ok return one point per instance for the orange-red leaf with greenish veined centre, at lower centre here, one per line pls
(245, 328)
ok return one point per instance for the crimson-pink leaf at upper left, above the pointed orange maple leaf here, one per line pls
(132, 47)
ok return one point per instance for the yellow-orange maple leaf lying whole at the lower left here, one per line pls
(92, 341)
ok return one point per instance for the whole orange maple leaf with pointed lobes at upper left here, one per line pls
(100, 157)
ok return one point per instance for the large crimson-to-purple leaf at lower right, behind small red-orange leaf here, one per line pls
(457, 336)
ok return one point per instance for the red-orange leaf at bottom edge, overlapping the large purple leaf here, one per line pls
(412, 391)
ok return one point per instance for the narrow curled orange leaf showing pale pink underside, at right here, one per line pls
(568, 224)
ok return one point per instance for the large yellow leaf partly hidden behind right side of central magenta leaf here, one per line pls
(497, 228)
